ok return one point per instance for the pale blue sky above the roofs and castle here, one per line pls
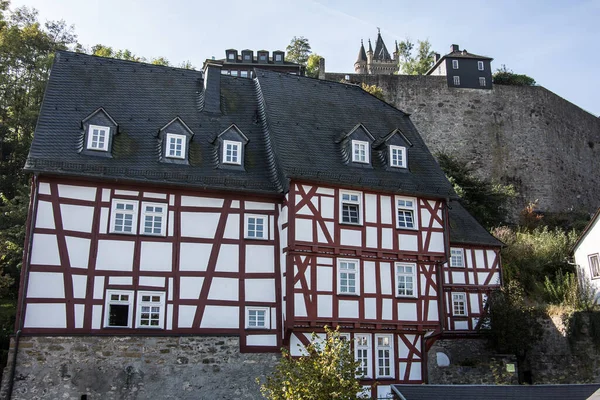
(557, 42)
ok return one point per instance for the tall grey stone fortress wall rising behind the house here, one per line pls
(528, 136)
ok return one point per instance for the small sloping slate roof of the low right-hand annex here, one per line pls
(464, 228)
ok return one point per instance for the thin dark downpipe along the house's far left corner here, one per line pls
(24, 274)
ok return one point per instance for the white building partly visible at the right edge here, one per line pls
(587, 256)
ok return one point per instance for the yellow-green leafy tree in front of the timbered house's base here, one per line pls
(327, 371)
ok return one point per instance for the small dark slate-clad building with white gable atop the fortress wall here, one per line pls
(463, 69)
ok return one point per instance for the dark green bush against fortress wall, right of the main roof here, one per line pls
(486, 200)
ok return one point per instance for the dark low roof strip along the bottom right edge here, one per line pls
(492, 392)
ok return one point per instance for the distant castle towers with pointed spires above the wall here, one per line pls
(378, 62)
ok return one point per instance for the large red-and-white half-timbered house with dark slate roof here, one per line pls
(170, 202)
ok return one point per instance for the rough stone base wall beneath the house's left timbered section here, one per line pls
(136, 368)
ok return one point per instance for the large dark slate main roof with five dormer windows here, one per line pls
(291, 123)
